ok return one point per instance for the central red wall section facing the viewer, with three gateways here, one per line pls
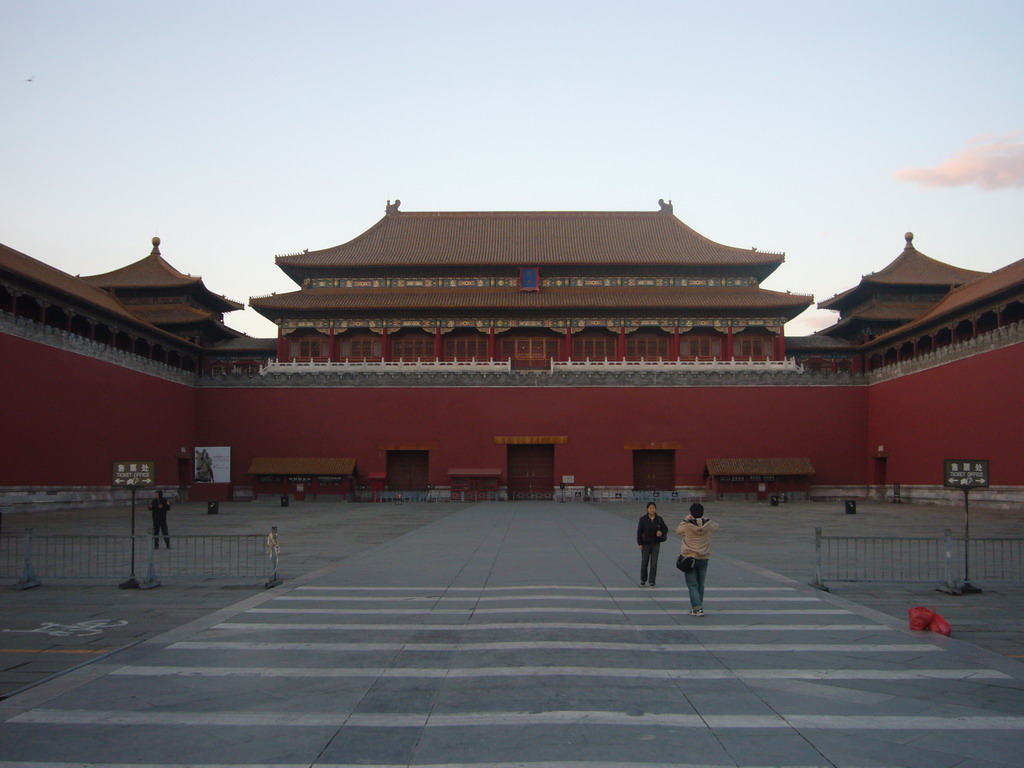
(825, 424)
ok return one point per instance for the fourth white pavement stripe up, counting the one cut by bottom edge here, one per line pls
(774, 648)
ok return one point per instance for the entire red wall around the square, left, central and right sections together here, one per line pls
(67, 417)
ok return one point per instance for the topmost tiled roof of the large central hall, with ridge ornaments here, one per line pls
(531, 239)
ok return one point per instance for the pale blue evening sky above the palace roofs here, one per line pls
(241, 131)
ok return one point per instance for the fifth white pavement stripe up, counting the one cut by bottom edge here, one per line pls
(696, 625)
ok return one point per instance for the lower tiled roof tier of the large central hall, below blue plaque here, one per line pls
(669, 300)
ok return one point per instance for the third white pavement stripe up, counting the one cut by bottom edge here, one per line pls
(513, 672)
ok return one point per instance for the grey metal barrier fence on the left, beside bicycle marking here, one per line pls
(31, 559)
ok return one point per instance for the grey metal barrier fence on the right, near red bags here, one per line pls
(947, 562)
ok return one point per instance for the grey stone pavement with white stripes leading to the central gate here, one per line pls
(508, 635)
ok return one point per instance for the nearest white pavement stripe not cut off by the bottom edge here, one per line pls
(547, 719)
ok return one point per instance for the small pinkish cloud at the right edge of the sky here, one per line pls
(994, 163)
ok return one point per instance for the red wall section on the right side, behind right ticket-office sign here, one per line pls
(970, 409)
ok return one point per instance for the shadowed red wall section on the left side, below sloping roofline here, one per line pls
(66, 418)
